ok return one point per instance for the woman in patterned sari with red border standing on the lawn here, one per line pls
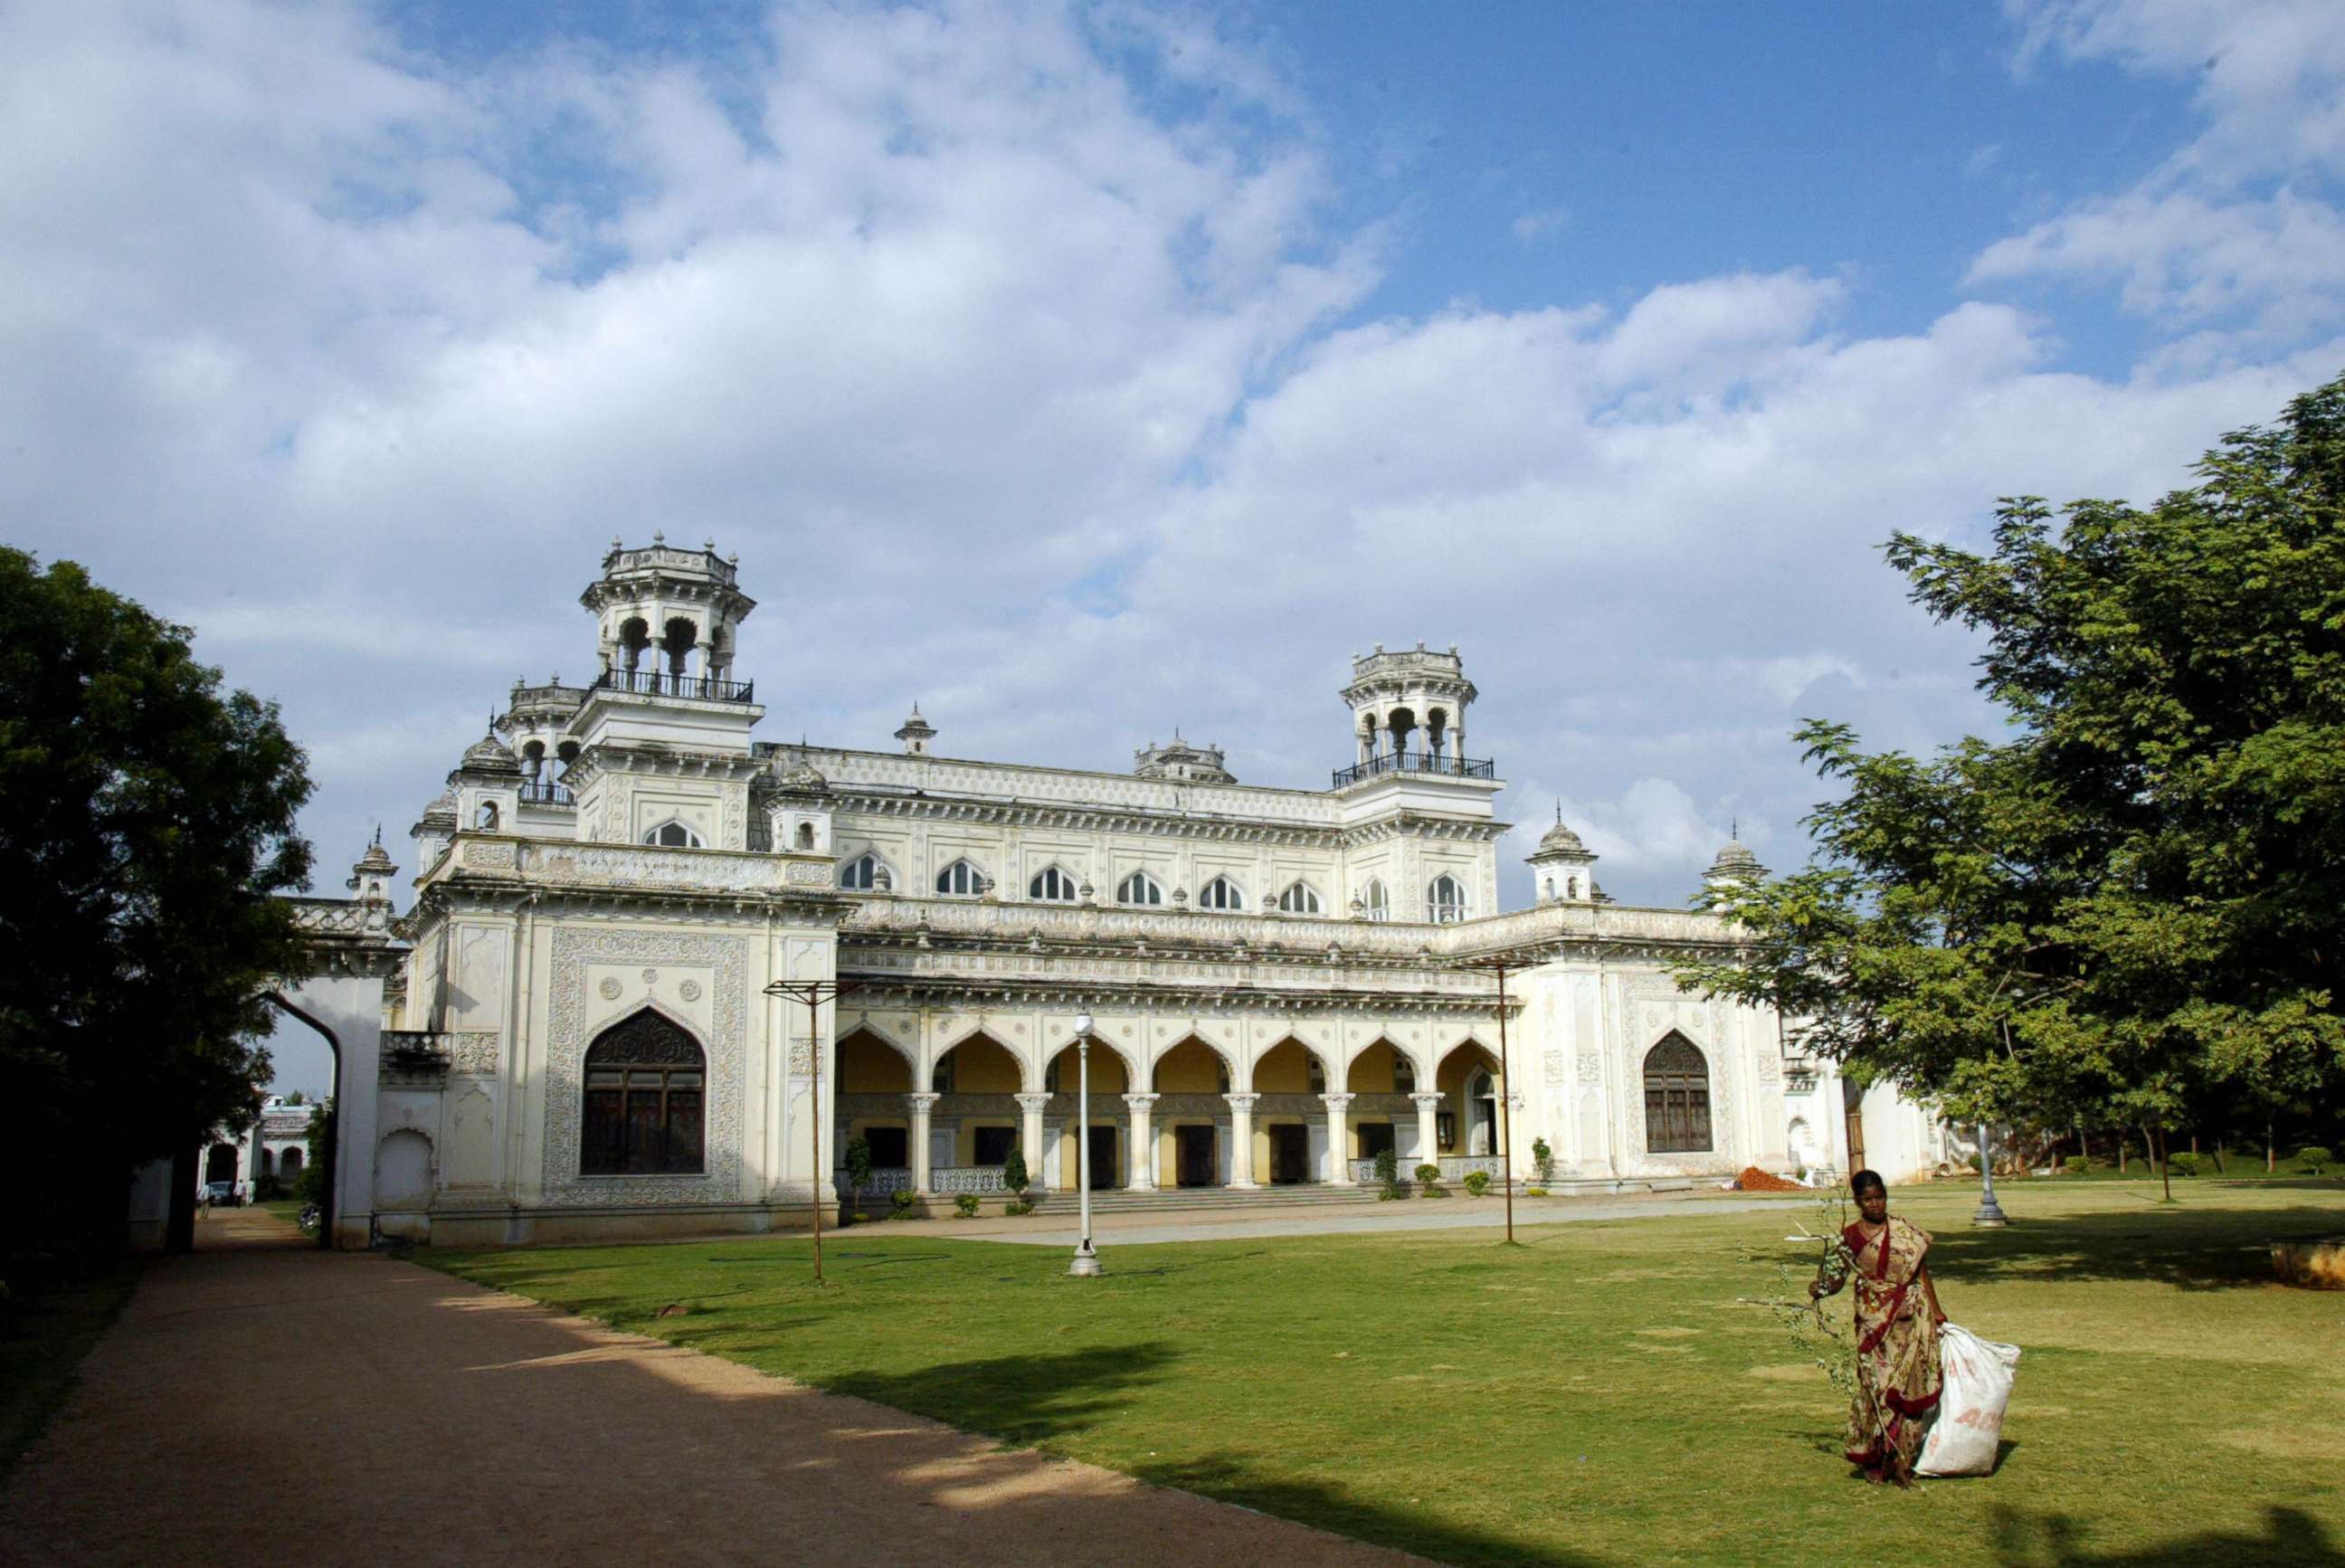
(1896, 1332)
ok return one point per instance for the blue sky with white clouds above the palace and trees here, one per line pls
(1106, 369)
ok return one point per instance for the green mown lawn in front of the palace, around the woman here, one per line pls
(1596, 1396)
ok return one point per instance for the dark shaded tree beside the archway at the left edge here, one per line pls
(147, 829)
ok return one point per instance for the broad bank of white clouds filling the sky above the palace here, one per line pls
(1014, 390)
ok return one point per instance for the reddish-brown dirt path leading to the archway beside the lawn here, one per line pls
(299, 1407)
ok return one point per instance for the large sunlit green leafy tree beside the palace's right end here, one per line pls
(2130, 908)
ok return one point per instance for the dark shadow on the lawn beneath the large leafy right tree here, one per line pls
(2196, 1250)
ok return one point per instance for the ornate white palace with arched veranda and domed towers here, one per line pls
(580, 1042)
